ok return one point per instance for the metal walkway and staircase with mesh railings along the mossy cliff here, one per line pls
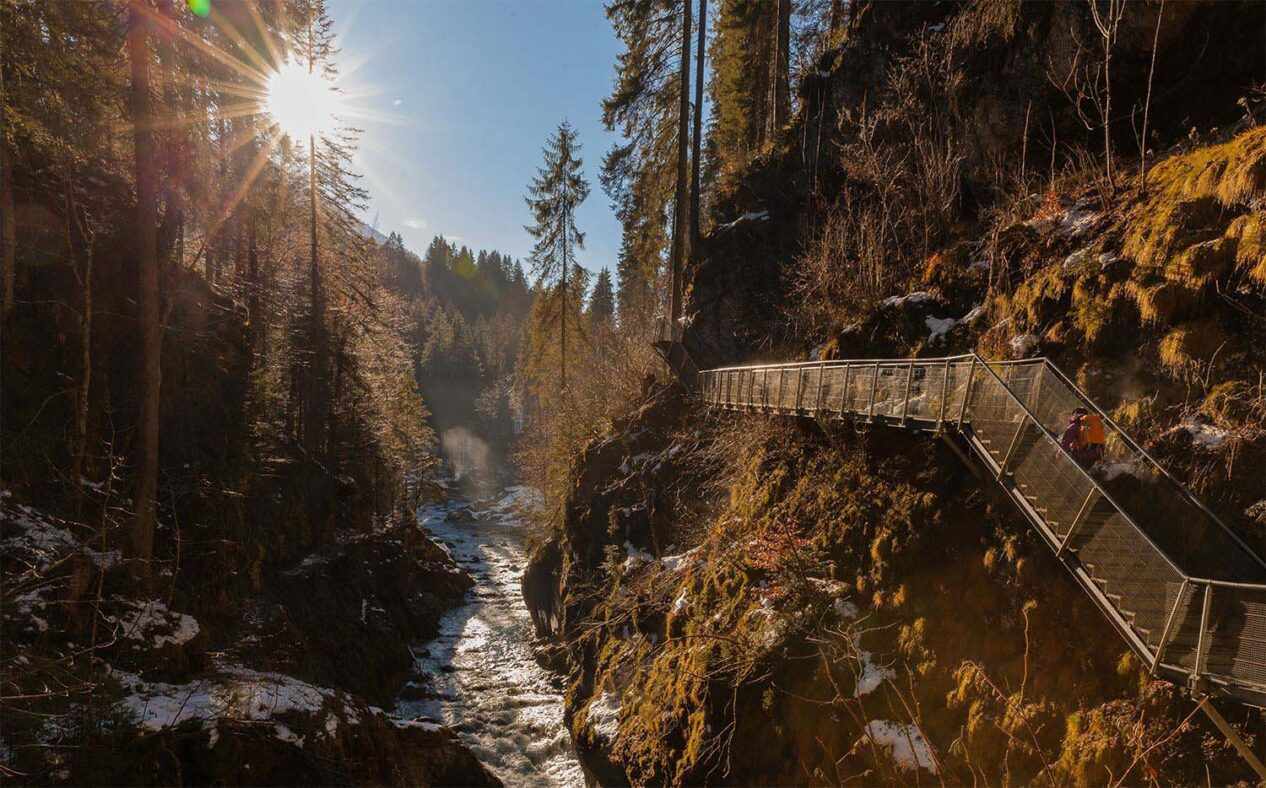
(1186, 592)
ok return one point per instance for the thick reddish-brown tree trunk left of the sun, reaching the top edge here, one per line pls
(147, 288)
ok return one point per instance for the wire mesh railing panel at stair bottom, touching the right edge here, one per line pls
(1238, 634)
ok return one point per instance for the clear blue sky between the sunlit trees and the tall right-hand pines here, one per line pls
(464, 96)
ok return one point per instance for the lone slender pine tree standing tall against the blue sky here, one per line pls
(556, 192)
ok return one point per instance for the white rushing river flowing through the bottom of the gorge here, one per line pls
(484, 682)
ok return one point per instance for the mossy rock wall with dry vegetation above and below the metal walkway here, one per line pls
(745, 600)
